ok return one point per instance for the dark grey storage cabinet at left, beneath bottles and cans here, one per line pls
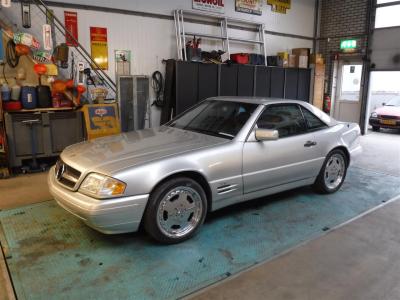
(54, 131)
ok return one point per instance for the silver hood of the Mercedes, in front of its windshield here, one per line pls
(114, 153)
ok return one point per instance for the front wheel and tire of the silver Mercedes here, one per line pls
(176, 210)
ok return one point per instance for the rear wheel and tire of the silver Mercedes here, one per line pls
(328, 181)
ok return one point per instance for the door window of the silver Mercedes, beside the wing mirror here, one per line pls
(286, 118)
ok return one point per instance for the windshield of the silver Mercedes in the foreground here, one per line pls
(218, 118)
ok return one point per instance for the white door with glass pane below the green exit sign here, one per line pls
(347, 105)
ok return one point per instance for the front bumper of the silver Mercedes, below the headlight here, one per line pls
(117, 215)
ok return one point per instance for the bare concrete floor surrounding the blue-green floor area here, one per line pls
(358, 261)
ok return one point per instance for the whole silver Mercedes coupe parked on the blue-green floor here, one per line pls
(222, 151)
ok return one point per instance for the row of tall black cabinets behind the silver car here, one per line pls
(195, 82)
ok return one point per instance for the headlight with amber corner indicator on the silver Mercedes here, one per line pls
(101, 186)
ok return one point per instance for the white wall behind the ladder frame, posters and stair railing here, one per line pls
(151, 40)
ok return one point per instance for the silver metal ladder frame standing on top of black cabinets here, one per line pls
(224, 22)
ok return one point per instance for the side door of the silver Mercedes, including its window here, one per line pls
(293, 157)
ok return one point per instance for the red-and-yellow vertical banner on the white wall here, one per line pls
(99, 47)
